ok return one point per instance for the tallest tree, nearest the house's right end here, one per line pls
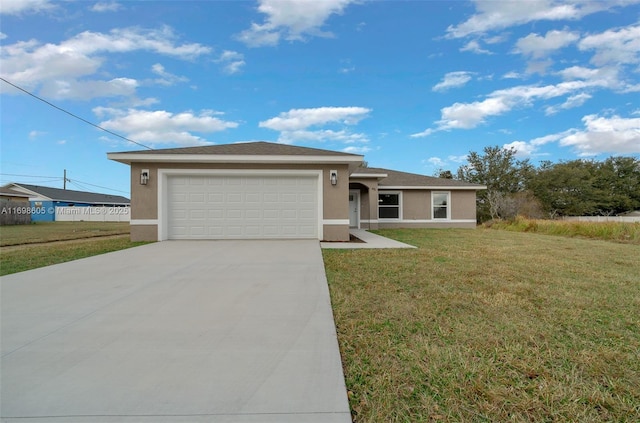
(503, 175)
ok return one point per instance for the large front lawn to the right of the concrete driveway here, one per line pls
(484, 325)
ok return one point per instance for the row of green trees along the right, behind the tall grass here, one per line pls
(568, 188)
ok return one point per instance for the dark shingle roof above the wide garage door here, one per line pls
(256, 148)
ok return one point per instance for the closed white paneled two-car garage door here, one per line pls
(242, 207)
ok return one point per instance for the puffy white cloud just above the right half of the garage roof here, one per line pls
(294, 125)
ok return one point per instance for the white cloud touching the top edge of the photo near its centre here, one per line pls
(291, 20)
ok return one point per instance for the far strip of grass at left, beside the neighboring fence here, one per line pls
(39, 232)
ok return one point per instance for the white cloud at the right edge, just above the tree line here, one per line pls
(613, 134)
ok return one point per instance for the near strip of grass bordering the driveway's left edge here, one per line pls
(28, 257)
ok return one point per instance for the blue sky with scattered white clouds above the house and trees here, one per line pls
(414, 86)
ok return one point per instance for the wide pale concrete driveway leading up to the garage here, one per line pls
(179, 331)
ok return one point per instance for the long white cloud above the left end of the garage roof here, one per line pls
(162, 127)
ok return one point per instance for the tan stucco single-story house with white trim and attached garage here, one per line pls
(265, 190)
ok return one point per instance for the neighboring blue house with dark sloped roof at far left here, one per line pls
(44, 200)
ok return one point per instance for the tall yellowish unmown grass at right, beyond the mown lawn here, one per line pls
(610, 231)
